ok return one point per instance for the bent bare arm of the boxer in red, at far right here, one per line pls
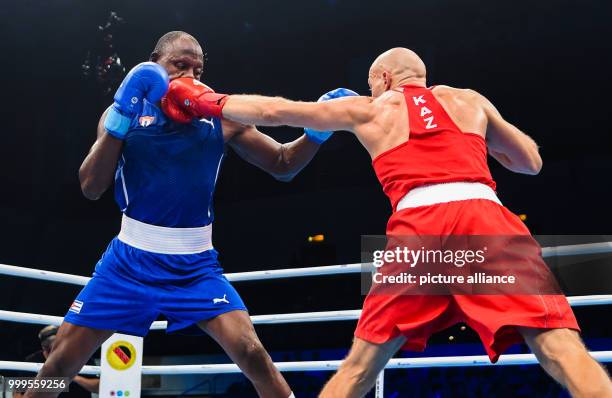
(507, 144)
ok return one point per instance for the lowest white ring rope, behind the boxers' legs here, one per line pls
(304, 366)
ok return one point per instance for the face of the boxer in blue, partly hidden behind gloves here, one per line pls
(183, 58)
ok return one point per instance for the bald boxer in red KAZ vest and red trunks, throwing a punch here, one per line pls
(429, 150)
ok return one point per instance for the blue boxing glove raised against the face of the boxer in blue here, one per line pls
(146, 80)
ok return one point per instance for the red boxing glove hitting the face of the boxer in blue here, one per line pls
(192, 97)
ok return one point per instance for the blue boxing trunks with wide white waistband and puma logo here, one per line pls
(149, 271)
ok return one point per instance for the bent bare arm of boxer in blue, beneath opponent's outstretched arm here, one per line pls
(283, 161)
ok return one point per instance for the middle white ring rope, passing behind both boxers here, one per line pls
(300, 317)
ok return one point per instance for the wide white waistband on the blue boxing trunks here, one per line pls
(153, 238)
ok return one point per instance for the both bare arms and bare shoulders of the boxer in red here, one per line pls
(382, 123)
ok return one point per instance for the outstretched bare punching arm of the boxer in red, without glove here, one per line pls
(339, 114)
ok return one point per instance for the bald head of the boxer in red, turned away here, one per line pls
(394, 68)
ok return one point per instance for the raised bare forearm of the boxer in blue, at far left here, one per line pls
(98, 169)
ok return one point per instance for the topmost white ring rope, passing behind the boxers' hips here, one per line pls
(569, 250)
